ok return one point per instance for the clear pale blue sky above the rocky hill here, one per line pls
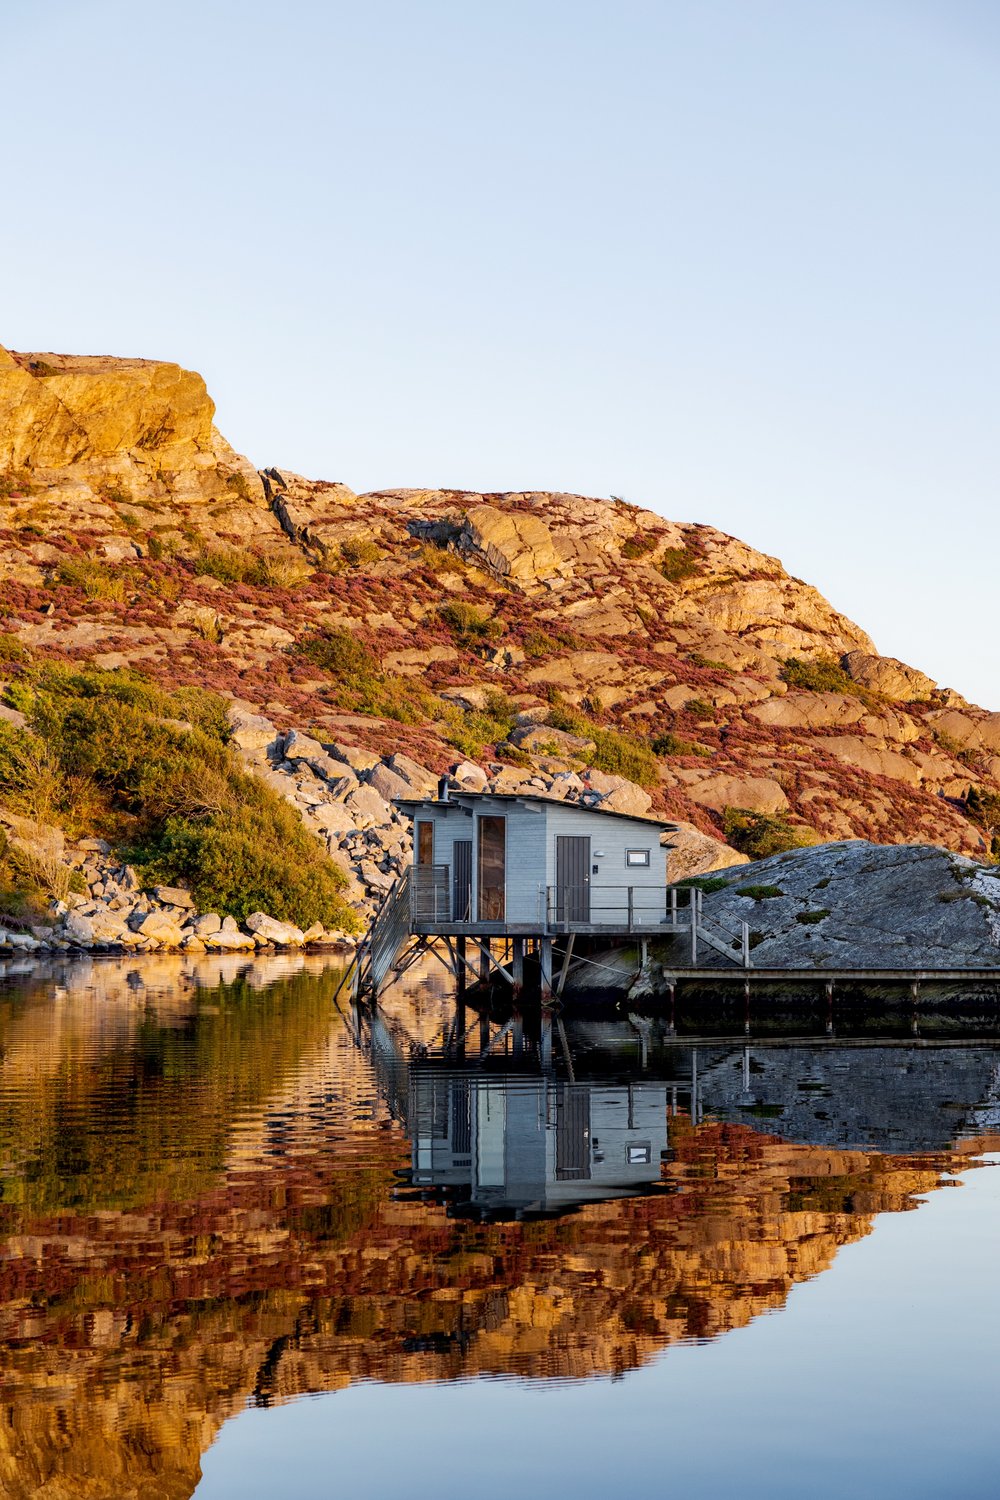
(735, 260)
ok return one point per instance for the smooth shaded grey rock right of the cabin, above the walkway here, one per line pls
(863, 907)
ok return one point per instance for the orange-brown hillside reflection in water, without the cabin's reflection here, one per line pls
(251, 1229)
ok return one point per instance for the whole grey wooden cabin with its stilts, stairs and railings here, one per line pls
(506, 880)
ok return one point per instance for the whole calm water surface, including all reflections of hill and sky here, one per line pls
(253, 1247)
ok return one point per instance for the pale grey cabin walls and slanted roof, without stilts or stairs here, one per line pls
(515, 865)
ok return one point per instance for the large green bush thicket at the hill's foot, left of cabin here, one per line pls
(154, 770)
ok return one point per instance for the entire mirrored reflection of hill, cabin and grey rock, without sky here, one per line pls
(220, 1192)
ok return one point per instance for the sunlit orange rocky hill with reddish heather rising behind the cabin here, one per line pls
(576, 646)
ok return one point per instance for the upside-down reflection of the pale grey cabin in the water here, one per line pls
(524, 1145)
